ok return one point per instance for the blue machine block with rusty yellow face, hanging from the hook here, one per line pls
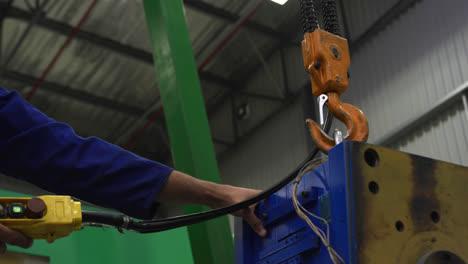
(382, 206)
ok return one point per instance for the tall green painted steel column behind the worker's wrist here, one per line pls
(187, 122)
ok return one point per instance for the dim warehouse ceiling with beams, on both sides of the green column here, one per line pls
(104, 83)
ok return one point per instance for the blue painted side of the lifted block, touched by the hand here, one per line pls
(327, 192)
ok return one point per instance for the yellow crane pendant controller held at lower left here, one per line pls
(62, 216)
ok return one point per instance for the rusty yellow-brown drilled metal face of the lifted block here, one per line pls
(407, 206)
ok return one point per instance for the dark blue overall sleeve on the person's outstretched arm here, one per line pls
(49, 154)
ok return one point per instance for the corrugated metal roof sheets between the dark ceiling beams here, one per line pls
(88, 68)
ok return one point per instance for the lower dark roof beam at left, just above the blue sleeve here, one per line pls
(79, 95)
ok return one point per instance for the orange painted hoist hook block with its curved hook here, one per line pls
(326, 57)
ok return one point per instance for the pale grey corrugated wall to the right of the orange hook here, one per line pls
(406, 69)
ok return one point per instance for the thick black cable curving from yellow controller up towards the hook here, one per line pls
(151, 226)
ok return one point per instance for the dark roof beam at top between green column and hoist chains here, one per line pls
(229, 17)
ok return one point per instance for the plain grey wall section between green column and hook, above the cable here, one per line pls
(269, 154)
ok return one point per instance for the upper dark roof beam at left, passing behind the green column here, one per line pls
(104, 42)
